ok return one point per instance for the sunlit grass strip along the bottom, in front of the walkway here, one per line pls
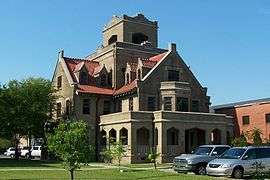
(97, 174)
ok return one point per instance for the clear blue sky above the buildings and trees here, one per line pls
(226, 43)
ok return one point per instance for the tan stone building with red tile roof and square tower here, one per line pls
(130, 90)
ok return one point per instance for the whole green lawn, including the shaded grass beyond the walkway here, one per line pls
(35, 170)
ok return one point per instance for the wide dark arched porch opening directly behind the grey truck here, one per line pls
(193, 138)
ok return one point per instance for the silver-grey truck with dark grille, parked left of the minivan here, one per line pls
(197, 161)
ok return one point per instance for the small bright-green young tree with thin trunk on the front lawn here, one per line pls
(70, 143)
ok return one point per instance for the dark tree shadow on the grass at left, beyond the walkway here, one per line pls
(21, 163)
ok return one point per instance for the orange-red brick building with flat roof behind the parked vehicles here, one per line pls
(248, 115)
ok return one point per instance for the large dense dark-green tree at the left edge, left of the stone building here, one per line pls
(25, 106)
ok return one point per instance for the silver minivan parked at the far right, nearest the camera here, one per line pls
(241, 161)
